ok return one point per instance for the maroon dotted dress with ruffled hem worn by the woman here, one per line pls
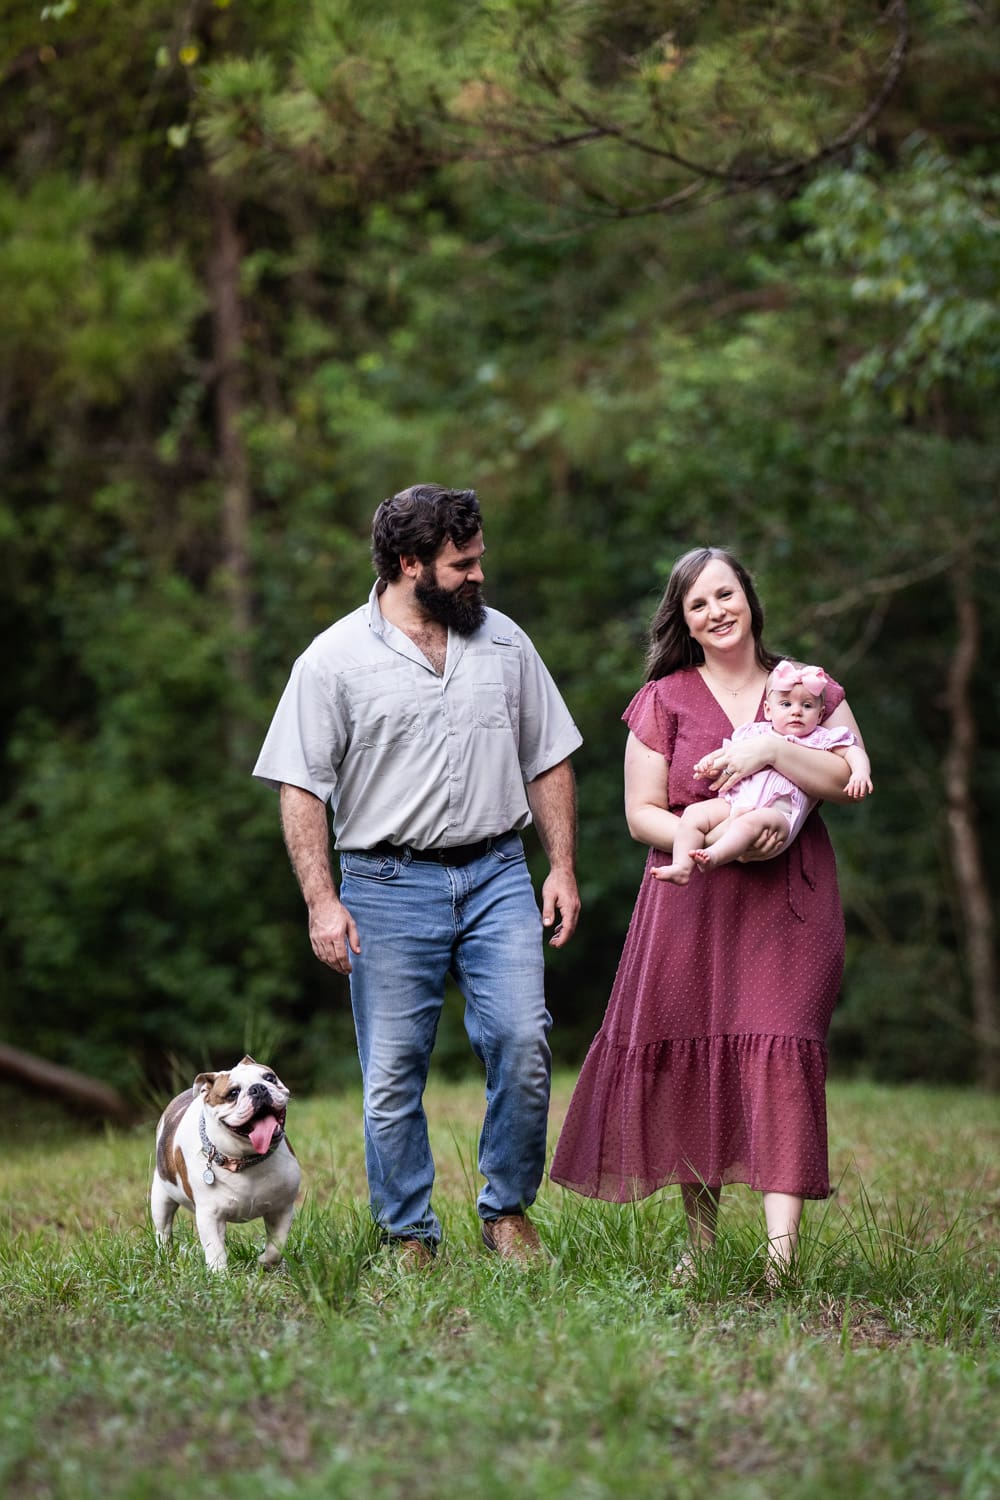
(711, 1063)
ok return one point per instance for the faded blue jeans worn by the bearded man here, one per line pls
(421, 922)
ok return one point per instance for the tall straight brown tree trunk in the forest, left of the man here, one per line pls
(227, 317)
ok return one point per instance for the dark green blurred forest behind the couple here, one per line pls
(647, 277)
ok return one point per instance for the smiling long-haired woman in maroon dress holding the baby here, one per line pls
(711, 1063)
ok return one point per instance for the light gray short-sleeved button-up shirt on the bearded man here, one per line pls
(406, 755)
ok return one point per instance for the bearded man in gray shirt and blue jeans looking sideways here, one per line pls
(433, 727)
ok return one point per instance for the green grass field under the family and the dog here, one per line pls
(873, 1373)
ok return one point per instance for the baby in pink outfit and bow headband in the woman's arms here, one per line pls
(726, 827)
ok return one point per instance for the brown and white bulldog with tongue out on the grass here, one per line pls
(223, 1153)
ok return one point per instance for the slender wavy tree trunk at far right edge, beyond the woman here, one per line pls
(965, 833)
